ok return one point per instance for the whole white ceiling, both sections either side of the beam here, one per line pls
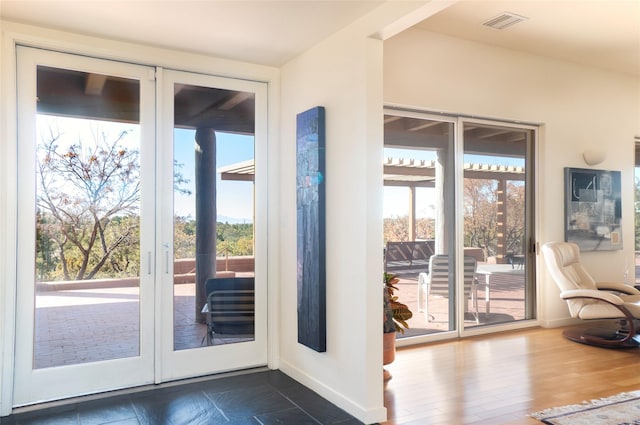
(603, 33)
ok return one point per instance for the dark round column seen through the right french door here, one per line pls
(205, 170)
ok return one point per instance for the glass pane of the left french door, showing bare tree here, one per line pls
(88, 218)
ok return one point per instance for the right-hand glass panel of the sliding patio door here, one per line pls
(495, 227)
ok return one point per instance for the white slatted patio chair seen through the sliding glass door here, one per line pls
(436, 283)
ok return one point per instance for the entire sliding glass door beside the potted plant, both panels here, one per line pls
(458, 210)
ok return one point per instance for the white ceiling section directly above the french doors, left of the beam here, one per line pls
(262, 32)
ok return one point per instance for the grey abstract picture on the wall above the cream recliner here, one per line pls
(593, 211)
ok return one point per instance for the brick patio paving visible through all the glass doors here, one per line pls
(86, 325)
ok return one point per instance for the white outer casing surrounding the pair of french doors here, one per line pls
(13, 35)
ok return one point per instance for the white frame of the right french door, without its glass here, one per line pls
(200, 361)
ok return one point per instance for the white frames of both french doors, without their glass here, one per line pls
(157, 362)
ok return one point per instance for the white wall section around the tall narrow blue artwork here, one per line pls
(343, 74)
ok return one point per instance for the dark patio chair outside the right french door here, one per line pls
(230, 307)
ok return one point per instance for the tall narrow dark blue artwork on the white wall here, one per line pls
(310, 208)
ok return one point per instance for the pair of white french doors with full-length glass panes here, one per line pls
(99, 305)
